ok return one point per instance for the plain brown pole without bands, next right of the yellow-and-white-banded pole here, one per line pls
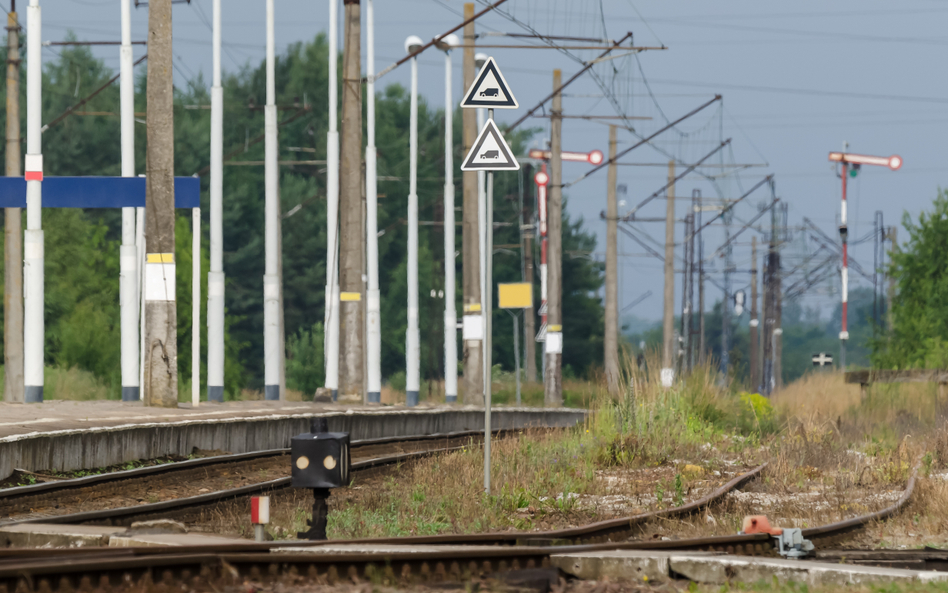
(611, 340)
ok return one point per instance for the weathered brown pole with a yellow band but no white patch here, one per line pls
(351, 285)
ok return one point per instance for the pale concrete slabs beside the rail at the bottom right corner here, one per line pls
(711, 568)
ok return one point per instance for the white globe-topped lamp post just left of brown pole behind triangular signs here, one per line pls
(450, 307)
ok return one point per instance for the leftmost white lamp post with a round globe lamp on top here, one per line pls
(413, 336)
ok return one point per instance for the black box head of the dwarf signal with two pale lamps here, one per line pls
(320, 460)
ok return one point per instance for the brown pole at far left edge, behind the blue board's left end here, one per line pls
(13, 232)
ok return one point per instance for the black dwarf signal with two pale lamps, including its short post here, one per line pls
(320, 461)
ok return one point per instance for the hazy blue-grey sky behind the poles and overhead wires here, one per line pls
(797, 81)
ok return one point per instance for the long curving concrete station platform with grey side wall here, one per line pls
(66, 435)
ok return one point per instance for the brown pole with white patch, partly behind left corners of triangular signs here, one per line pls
(473, 386)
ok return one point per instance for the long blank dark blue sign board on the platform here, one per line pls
(96, 192)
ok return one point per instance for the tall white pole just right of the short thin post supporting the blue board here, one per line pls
(215, 277)
